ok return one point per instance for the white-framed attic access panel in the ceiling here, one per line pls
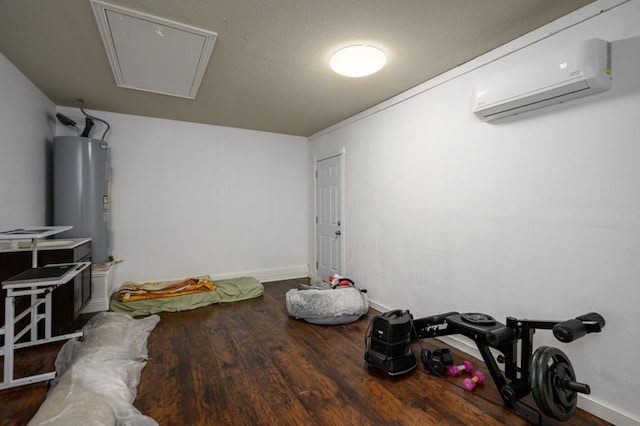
(153, 54)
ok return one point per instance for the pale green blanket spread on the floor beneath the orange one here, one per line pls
(231, 290)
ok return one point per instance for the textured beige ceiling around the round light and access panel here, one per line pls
(269, 67)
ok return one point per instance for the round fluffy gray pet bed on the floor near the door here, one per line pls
(327, 306)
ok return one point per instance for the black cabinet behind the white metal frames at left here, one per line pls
(69, 299)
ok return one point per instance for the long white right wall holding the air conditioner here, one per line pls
(535, 217)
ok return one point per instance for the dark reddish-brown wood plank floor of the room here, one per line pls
(249, 363)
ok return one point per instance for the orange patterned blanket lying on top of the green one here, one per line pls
(131, 291)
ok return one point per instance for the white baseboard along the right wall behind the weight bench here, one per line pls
(585, 402)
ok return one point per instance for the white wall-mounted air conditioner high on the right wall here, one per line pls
(578, 71)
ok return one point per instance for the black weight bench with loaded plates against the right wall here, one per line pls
(546, 373)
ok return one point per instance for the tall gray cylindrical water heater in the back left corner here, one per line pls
(81, 191)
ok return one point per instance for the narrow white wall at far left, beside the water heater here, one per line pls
(27, 119)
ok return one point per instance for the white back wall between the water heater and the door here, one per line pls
(193, 199)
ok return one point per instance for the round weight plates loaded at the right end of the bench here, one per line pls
(548, 368)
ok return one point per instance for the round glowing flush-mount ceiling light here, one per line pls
(358, 61)
